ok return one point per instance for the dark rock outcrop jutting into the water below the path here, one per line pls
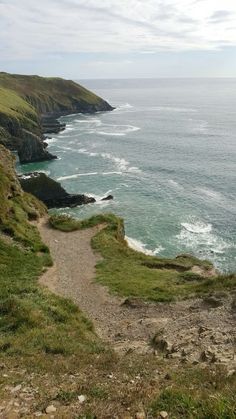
(51, 192)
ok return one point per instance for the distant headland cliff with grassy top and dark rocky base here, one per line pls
(29, 106)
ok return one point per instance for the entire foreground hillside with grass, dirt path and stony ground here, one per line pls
(53, 363)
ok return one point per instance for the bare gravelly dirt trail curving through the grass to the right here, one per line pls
(193, 330)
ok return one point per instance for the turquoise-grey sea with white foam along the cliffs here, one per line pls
(167, 154)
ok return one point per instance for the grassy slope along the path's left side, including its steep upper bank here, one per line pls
(32, 320)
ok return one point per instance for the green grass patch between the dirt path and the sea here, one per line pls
(133, 274)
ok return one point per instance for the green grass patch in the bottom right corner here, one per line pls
(198, 394)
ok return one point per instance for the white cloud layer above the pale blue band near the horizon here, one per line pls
(29, 29)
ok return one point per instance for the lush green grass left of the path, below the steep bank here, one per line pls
(33, 320)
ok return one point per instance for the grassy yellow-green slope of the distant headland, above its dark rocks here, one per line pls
(24, 98)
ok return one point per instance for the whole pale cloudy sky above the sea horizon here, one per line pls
(82, 39)
